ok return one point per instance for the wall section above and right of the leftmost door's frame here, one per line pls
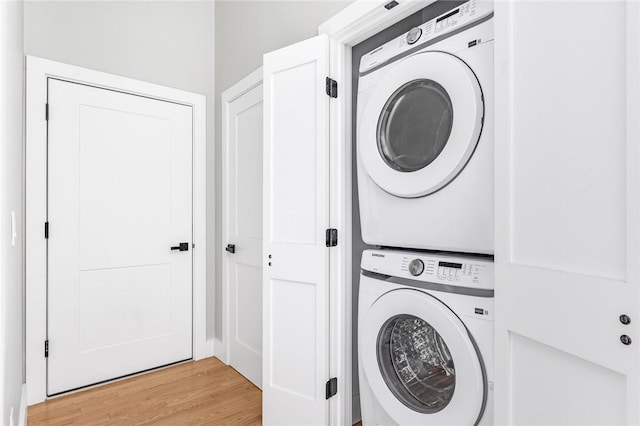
(162, 42)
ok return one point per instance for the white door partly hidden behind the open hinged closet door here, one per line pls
(242, 224)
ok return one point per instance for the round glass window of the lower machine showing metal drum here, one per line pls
(416, 364)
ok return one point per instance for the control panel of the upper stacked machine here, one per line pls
(448, 22)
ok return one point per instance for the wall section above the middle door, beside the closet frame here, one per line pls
(245, 31)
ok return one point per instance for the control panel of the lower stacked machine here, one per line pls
(442, 268)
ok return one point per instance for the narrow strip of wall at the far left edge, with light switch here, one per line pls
(11, 184)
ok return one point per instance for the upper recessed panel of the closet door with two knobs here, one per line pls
(568, 136)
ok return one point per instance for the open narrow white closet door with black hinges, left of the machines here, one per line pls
(296, 216)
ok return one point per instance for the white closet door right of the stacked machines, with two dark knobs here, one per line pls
(567, 213)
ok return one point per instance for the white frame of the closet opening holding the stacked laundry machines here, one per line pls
(354, 24)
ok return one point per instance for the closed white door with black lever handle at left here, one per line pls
(119, 199)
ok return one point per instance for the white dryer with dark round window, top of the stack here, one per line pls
(425, 135)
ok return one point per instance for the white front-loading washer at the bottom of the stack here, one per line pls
(425, 339)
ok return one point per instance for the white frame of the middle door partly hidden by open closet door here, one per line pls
(240, 88)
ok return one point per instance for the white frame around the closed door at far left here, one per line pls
(38, 70)
